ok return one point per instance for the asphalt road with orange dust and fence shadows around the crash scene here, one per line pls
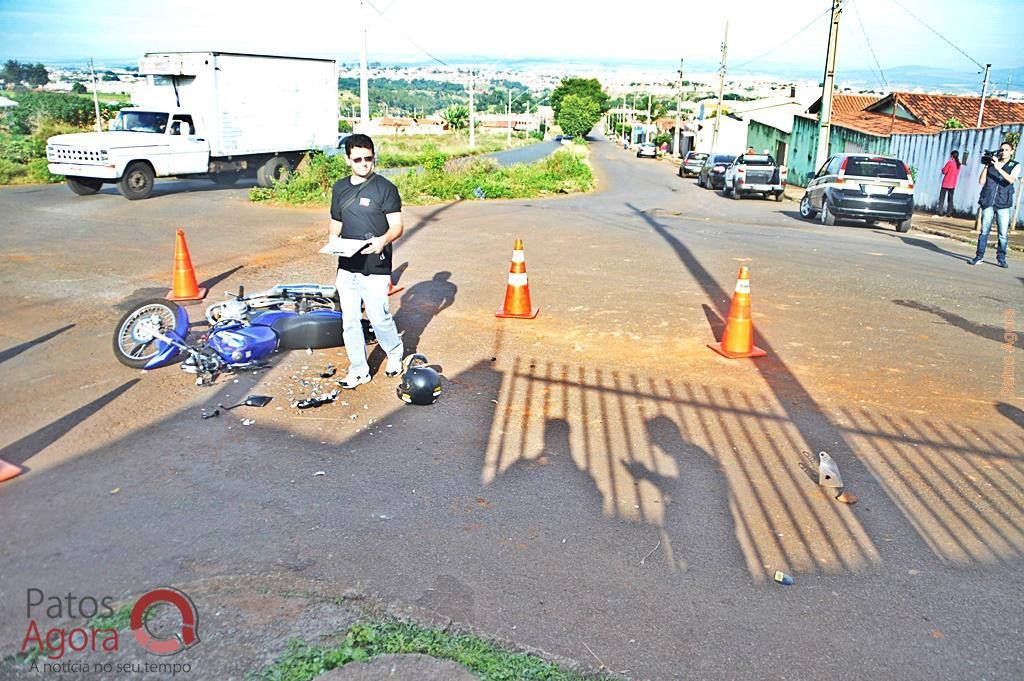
(594, 484)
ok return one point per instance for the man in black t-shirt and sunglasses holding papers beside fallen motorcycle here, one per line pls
(366, 206)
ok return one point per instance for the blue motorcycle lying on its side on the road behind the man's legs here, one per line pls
(243, 332)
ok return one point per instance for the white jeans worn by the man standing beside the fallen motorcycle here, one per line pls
(370, 290)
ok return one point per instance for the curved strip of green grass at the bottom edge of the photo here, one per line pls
(364, 642)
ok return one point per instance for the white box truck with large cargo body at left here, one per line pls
(216, 115)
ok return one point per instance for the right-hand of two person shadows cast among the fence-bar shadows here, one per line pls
(698, 520)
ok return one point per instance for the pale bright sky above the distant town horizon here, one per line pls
(763, 34)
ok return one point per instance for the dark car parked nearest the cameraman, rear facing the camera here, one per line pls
(877, 189)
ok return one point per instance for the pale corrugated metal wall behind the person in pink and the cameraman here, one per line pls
(929, 153)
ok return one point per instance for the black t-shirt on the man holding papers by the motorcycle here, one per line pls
(362, 209)
